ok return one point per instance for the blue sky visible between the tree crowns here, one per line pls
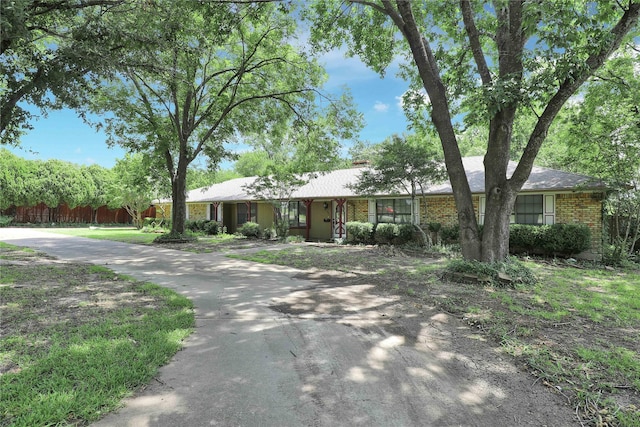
(62, 135)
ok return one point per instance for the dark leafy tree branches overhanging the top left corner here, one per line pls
(50, 51)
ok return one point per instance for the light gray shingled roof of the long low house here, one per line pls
(335, 184)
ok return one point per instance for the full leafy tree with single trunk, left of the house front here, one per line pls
(213, 72)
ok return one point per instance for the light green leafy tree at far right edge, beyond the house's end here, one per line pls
(603, 140)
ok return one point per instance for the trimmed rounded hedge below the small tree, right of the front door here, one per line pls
(383, 233)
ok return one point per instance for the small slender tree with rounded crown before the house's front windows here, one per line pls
(402, 164)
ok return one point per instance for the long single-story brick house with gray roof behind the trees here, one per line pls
(320, 209)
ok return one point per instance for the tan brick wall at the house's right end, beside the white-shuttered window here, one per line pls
(585, 208)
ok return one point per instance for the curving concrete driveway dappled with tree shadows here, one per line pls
(250, 365)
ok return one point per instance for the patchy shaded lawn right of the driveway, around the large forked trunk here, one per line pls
(576, 329)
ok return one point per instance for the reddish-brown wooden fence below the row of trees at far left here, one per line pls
(42, 213)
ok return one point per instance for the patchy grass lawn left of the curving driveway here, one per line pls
(76, 338)
